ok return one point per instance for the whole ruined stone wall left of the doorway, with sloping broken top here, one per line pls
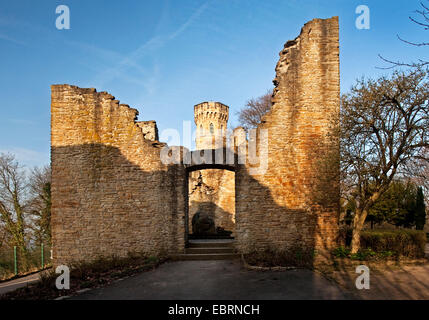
(111, 194)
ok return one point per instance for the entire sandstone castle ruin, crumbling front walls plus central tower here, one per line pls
(112, 194)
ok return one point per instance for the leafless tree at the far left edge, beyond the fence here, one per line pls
(13, 196)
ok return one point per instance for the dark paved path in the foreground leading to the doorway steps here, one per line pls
(218, 279)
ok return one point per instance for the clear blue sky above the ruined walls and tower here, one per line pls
(163, 57)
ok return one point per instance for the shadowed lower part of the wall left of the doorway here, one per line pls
(104, 204)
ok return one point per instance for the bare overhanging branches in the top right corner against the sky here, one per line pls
(422, 21)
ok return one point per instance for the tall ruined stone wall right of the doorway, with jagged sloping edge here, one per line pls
(295, 202)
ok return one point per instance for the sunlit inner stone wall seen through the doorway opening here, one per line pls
(212, 192)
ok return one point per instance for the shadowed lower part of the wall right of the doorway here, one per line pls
(275, 228)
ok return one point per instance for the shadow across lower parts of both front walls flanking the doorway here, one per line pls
(104, 204)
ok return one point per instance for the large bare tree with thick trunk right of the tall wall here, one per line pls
(384, 126)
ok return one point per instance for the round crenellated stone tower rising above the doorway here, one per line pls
(211, 119)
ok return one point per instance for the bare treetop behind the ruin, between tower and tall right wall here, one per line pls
(251, 114)
